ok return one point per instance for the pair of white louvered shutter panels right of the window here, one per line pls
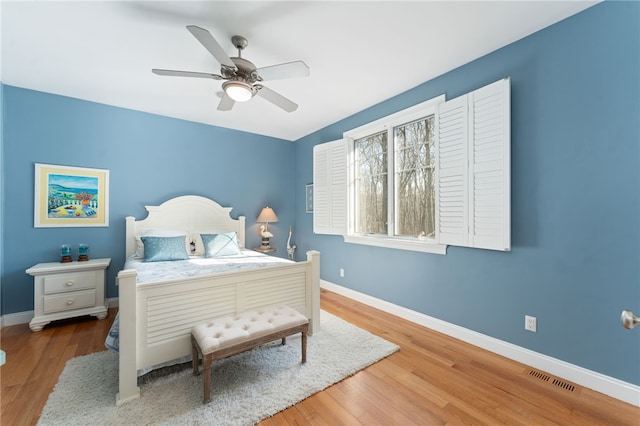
(473, 169)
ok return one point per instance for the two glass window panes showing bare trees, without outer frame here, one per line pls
(413, 193)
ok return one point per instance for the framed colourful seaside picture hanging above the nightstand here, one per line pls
(68, 196)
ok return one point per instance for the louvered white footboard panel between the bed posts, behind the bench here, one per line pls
(167, 311)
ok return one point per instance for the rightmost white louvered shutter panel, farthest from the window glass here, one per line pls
(489, 167)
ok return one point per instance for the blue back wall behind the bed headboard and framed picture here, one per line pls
(150, 159)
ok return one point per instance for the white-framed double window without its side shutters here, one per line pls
(392, 196)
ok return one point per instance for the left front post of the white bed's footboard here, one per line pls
(128, 374)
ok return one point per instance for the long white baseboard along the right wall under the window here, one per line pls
(610, 386)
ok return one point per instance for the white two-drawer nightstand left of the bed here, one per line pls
(66, 290)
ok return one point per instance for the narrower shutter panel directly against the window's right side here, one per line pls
(451, 171)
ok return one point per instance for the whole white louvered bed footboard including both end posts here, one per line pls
(156, 319)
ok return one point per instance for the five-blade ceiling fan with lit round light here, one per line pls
(242, 78)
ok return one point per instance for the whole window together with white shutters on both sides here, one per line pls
(432, 175)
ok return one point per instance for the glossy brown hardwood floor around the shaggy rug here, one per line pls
(432, 380)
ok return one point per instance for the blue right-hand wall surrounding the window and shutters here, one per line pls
(575, 259)
